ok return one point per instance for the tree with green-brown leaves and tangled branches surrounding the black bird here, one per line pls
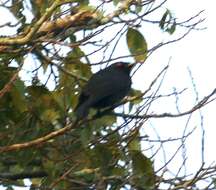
(53, 47)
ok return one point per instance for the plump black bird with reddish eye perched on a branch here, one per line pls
(105, 88)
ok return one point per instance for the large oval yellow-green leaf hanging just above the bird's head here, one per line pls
(137, 45)
